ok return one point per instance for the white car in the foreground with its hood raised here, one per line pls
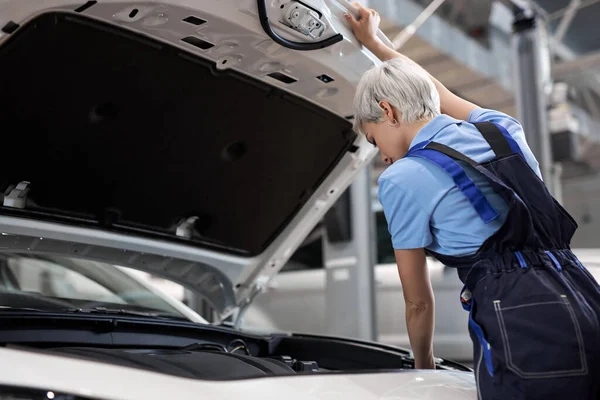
(198, 141)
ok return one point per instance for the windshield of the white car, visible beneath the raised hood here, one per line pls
(50, 283)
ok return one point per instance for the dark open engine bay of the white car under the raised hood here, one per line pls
(198, 351)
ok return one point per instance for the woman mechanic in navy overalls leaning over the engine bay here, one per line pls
(463, 186)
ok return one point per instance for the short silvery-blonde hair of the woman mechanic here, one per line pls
(401, 82)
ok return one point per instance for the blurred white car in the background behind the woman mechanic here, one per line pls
(295, 299)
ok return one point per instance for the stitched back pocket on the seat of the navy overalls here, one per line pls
(542, 339)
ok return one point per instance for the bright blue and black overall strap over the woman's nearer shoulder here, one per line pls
(442, 156)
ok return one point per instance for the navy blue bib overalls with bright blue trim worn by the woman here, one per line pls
(534, 308)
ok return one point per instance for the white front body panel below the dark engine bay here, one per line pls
(108, 382)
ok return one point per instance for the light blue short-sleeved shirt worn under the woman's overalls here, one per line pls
(421, 203)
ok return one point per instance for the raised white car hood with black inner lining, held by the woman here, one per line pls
(177, 137)
